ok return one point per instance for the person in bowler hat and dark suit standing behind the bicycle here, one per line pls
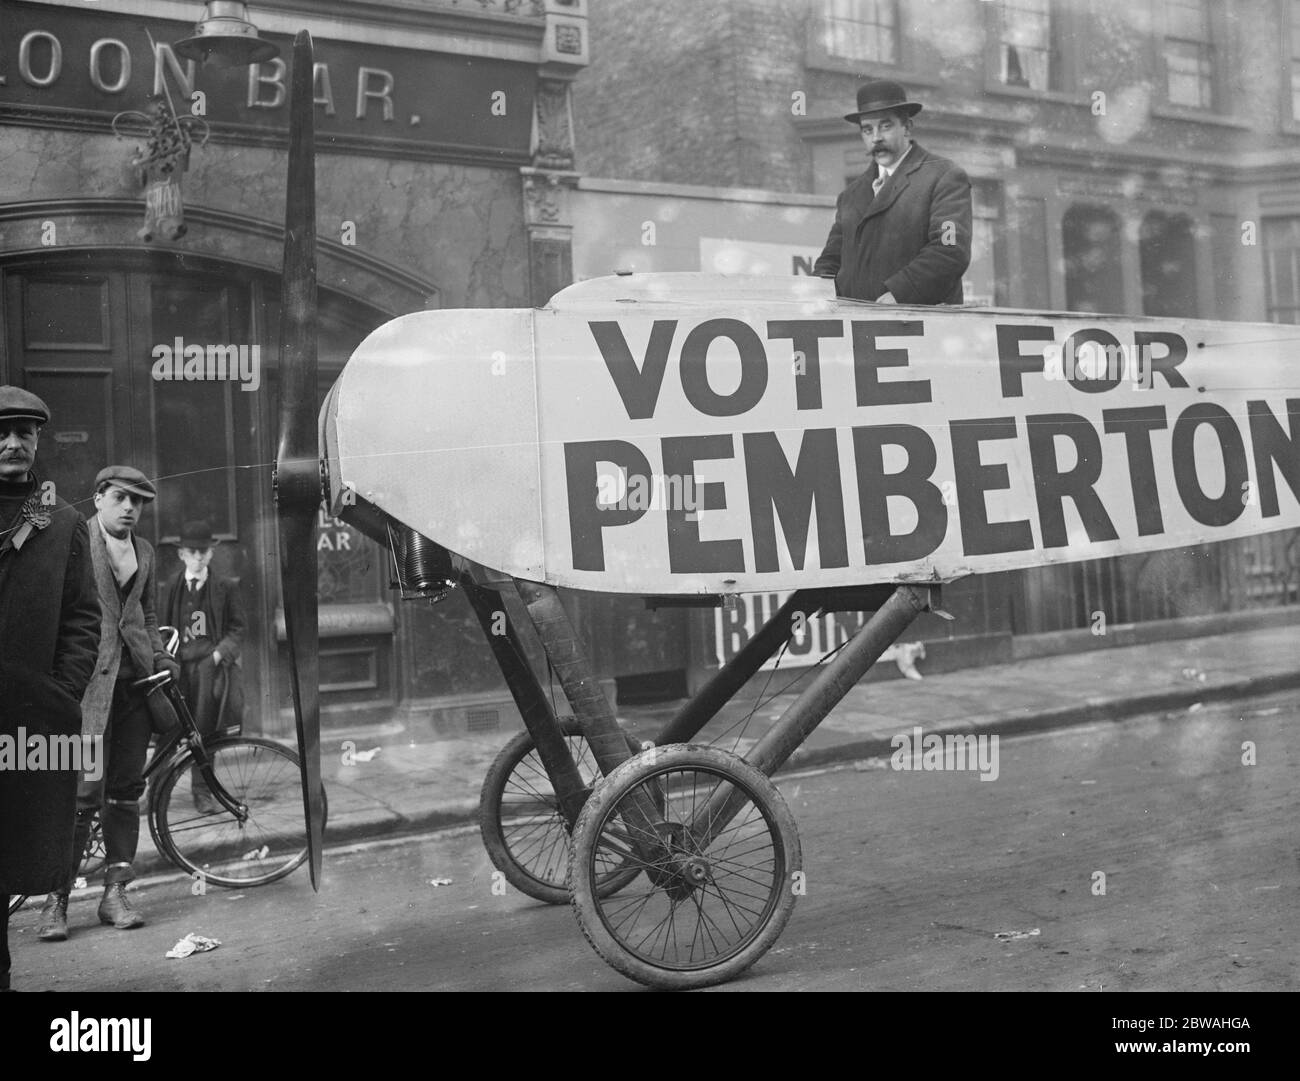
(206, 609)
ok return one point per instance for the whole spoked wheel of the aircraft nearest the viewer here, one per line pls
(708, 908)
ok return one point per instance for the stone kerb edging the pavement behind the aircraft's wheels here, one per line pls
(466, 811)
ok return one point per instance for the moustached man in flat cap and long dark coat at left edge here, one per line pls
(50, 626)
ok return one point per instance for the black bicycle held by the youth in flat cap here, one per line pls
(240, 826)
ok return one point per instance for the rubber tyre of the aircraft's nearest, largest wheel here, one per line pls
(588, 831)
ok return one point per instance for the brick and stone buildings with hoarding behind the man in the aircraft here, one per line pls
(1128, 157)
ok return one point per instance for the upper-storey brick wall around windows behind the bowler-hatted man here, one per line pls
(703, 93)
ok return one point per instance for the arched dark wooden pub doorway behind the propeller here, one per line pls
(94, 336)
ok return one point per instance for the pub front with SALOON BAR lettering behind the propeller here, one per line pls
(444, 147)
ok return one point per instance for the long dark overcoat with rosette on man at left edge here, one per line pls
(50, 627)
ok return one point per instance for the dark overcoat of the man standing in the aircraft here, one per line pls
(913, 241)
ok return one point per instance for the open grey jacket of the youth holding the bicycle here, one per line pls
(132, 623)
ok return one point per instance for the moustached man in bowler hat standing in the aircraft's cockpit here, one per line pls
(903, 231)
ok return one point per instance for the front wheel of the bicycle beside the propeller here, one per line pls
(202, 837)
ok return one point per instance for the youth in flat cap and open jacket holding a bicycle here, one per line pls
(131, 649)
